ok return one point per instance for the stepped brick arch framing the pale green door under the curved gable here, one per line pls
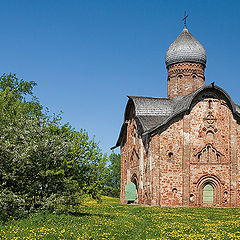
(215, 182)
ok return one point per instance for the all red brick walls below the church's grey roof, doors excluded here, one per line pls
(202, 147)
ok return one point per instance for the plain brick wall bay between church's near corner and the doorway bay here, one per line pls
(167, 158)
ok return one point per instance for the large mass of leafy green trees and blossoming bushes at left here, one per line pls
(43, 165)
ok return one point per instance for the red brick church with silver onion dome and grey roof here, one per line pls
(183, 150)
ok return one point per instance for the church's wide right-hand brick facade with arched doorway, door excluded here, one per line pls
(188, 175)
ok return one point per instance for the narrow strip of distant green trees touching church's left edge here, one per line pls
(113, 177)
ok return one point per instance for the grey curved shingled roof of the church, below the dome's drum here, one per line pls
(153, 113)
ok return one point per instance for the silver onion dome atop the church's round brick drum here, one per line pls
(185, 48)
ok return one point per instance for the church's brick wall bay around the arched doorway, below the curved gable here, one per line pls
(210, 157)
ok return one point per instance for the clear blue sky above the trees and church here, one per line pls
(88, 55)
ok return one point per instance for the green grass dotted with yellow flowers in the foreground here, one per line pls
(110, 220)
